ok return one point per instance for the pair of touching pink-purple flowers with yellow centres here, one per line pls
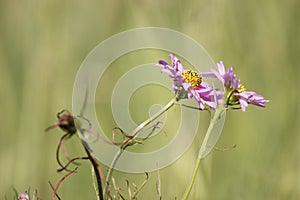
(189, 84)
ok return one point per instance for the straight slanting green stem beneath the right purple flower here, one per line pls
(212, 123)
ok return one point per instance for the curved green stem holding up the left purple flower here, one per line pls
(134, 135)
